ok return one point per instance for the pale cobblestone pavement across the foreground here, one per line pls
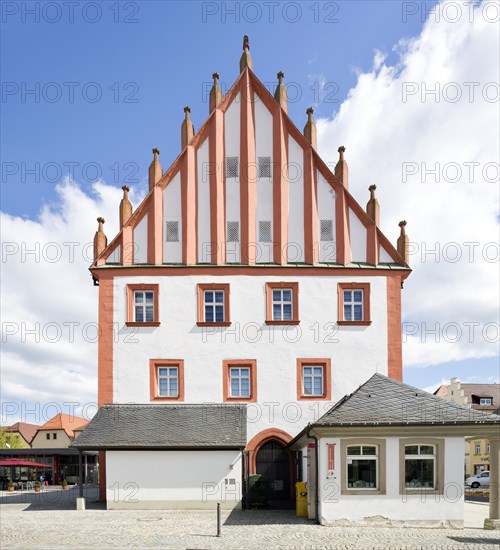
(46, 523)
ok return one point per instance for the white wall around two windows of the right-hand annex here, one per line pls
(430, 510)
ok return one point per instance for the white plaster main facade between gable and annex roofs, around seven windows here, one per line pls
(356, 352)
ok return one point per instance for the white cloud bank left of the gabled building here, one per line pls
(49, 304)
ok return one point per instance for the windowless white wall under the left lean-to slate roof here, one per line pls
(173, 479)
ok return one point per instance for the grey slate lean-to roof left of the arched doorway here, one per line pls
(165, 427)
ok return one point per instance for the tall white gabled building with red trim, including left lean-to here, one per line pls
(248, 279)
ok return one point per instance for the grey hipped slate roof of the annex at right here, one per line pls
(383, 401)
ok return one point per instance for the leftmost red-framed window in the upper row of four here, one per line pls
(142, 308)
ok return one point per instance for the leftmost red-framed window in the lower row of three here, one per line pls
(166, 379)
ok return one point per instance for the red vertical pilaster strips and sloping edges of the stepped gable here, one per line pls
(186, 163)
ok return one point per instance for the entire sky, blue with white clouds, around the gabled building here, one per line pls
(147, 60)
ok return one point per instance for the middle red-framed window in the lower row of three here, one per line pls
(239, 380)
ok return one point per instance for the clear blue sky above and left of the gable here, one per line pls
(148, 70)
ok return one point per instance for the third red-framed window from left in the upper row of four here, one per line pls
(282, 303)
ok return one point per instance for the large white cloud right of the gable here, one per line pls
(386, 133)
